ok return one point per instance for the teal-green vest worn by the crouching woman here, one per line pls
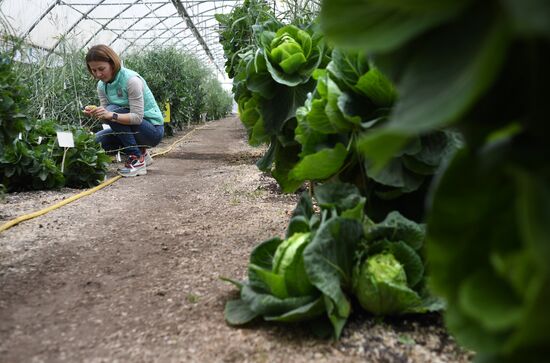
(117, 94)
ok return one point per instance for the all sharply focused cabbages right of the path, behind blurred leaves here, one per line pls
(312, 105)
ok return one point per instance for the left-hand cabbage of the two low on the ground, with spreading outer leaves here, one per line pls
(307, 275)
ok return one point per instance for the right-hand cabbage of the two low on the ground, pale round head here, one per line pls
(388, 278)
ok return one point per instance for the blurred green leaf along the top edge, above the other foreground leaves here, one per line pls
(379, 26)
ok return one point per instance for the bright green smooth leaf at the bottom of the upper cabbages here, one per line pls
(321, 165)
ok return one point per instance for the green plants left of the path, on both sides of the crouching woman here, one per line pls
(41, 94)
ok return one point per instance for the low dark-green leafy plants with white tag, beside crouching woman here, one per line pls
(30, 157)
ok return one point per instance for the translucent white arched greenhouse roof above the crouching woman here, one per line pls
(125, 25)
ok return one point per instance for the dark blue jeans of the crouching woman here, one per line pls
(129, 138)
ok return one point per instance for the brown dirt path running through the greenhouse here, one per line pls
(131, 273)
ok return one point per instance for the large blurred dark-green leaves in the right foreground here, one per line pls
(480, 68)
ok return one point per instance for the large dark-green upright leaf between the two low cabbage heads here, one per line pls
(329, 260)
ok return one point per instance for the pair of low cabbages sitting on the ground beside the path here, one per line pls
(330, 256)
